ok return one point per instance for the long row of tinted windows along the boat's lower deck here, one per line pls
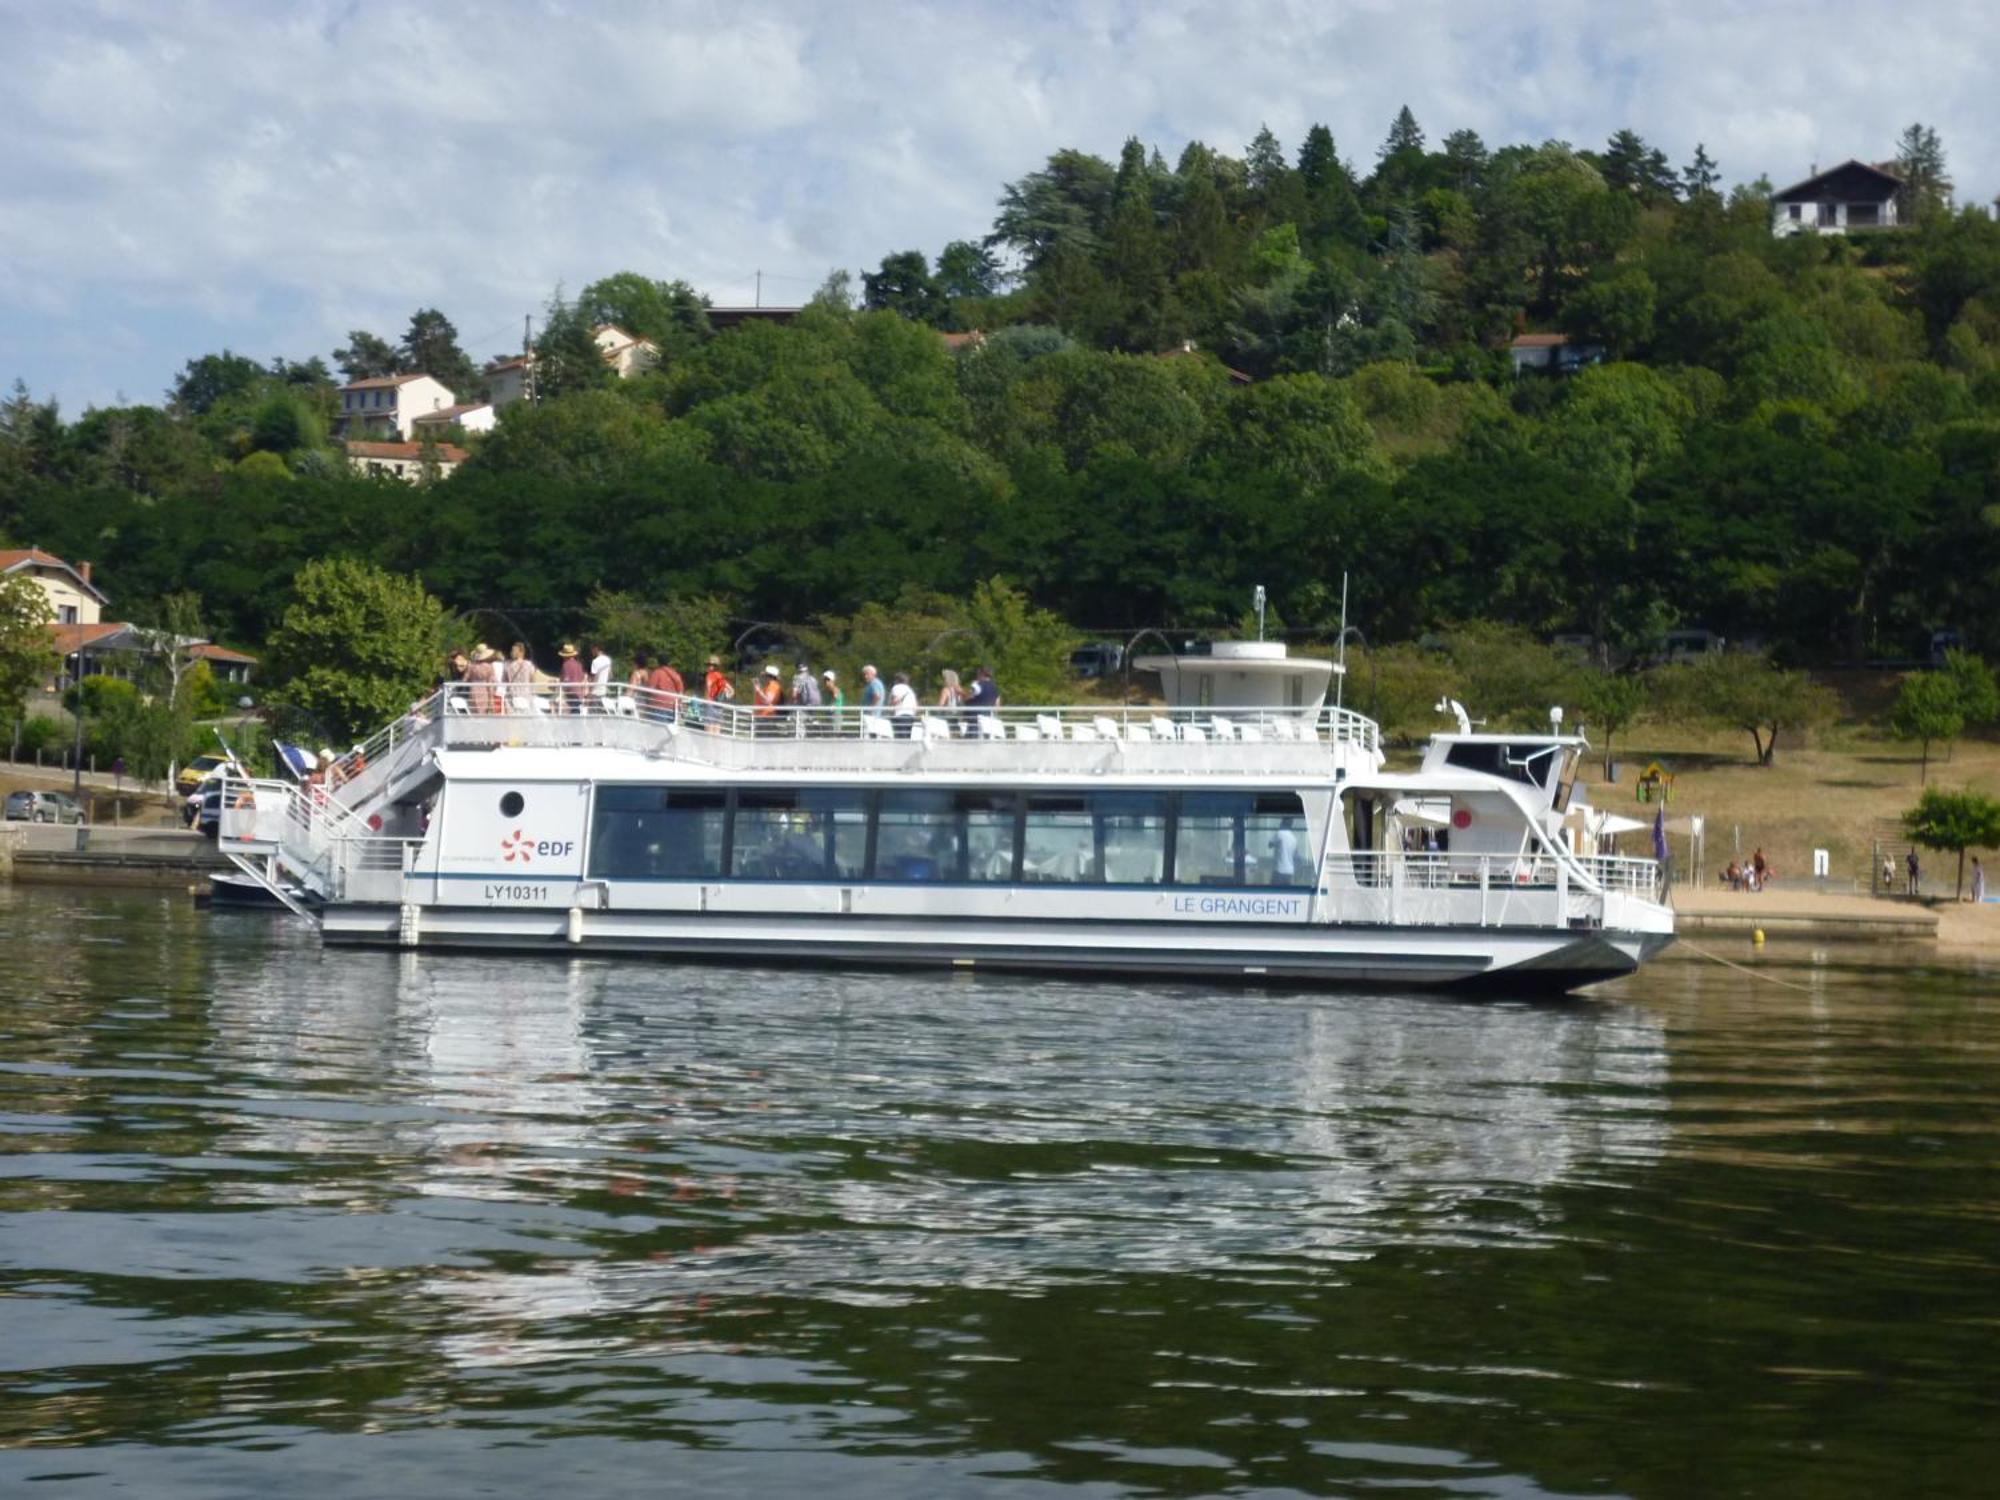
(851, 835)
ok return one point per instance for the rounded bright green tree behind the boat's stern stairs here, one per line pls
(355, 649)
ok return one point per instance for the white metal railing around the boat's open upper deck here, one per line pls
(585, 715)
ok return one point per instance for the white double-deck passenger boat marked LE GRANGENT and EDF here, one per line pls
(1193, 843)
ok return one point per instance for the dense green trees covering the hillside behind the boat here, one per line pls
(1795, 443)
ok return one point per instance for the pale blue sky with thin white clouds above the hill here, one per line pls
(267, 175)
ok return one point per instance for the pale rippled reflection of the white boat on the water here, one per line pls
(633, 1147)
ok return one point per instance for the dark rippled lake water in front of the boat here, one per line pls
(373, 1225)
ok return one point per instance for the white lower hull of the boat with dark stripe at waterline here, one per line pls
(1531, 961)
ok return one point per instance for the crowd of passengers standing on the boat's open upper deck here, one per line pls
(515, 685)
